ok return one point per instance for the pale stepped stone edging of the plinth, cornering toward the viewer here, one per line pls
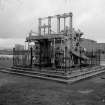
(69, 78)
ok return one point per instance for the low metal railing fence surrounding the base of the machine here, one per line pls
(28, 58)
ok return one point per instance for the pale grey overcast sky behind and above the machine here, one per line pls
(18, 17)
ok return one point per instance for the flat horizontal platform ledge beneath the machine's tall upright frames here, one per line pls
(33, 38)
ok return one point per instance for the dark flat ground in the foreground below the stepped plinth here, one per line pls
(18, 90)
